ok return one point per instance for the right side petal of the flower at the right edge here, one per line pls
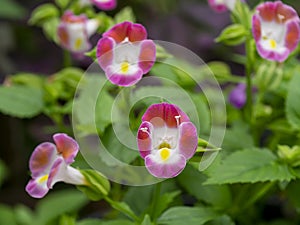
(292, 37)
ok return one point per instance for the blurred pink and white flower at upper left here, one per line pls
(74, 32)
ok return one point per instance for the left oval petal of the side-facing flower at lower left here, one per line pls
(42, 158)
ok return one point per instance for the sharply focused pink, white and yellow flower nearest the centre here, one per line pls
(166, 140)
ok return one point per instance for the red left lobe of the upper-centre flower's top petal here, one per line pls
(118, 32)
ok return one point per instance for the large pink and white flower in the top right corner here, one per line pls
(276, 30)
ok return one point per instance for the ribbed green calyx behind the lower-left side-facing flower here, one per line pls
(98, 186)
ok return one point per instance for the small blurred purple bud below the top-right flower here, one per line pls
(237, 96)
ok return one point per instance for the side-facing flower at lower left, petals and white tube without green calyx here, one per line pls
(50, 163)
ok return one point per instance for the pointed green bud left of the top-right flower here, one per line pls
(232, 35)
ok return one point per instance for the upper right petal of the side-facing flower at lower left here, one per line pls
(66, 146)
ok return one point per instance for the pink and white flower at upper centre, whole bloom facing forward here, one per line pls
(125, 54)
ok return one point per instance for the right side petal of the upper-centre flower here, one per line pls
(147, 55)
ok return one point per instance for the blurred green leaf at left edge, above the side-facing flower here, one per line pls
(21, 101)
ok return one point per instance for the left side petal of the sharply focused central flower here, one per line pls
(144, 138)
